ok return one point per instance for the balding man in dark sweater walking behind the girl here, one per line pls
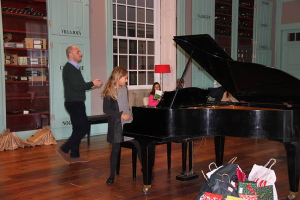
(74, 92)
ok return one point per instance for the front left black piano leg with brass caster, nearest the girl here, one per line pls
(147, 150)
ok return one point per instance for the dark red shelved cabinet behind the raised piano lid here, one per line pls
(223, 27)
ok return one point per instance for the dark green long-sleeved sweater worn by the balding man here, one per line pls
(74, 84)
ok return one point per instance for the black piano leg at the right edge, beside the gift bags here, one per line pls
(293, 161)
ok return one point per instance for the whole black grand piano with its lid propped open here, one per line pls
(269, 107)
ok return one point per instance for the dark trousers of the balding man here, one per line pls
(80, 127)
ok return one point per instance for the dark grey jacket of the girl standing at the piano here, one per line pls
(115, 130)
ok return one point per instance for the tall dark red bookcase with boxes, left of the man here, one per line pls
(25, 34)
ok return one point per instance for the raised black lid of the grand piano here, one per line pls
(248, 82)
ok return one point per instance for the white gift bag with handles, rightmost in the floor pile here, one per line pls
(264, 176)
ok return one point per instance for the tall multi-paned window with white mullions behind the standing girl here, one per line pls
(134, 41)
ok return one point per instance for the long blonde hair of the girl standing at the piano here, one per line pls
(113, 82)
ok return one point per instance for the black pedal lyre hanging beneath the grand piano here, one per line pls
(184, 175)
